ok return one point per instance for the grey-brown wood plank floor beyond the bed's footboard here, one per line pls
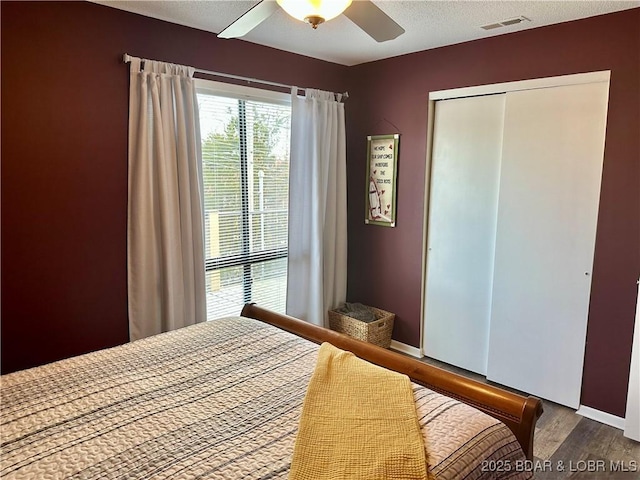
(569, 446)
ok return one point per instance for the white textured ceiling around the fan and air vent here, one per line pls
(428, 24)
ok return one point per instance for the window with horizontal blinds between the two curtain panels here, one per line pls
(245, 164)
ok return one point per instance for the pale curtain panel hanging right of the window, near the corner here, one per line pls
(317, 264)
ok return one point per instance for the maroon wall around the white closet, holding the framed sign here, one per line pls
(390, 96)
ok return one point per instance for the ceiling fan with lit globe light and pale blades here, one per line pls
(364, 13)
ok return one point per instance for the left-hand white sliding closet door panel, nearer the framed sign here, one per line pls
(461, 229)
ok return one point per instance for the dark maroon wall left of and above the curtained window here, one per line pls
(64, 162)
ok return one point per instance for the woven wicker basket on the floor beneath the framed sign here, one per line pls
(377, 332)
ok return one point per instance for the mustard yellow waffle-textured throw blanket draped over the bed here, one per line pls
(358, 421)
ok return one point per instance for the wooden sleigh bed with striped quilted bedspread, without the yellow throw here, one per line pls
(222, 399)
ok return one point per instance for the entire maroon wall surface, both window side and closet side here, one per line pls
(64, 167)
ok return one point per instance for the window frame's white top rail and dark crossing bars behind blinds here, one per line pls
(246, 259)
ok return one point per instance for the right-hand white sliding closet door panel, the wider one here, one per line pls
(549, 193)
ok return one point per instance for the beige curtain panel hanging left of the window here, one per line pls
(164, 225)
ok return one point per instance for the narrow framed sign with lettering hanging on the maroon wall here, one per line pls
(382, 160)
